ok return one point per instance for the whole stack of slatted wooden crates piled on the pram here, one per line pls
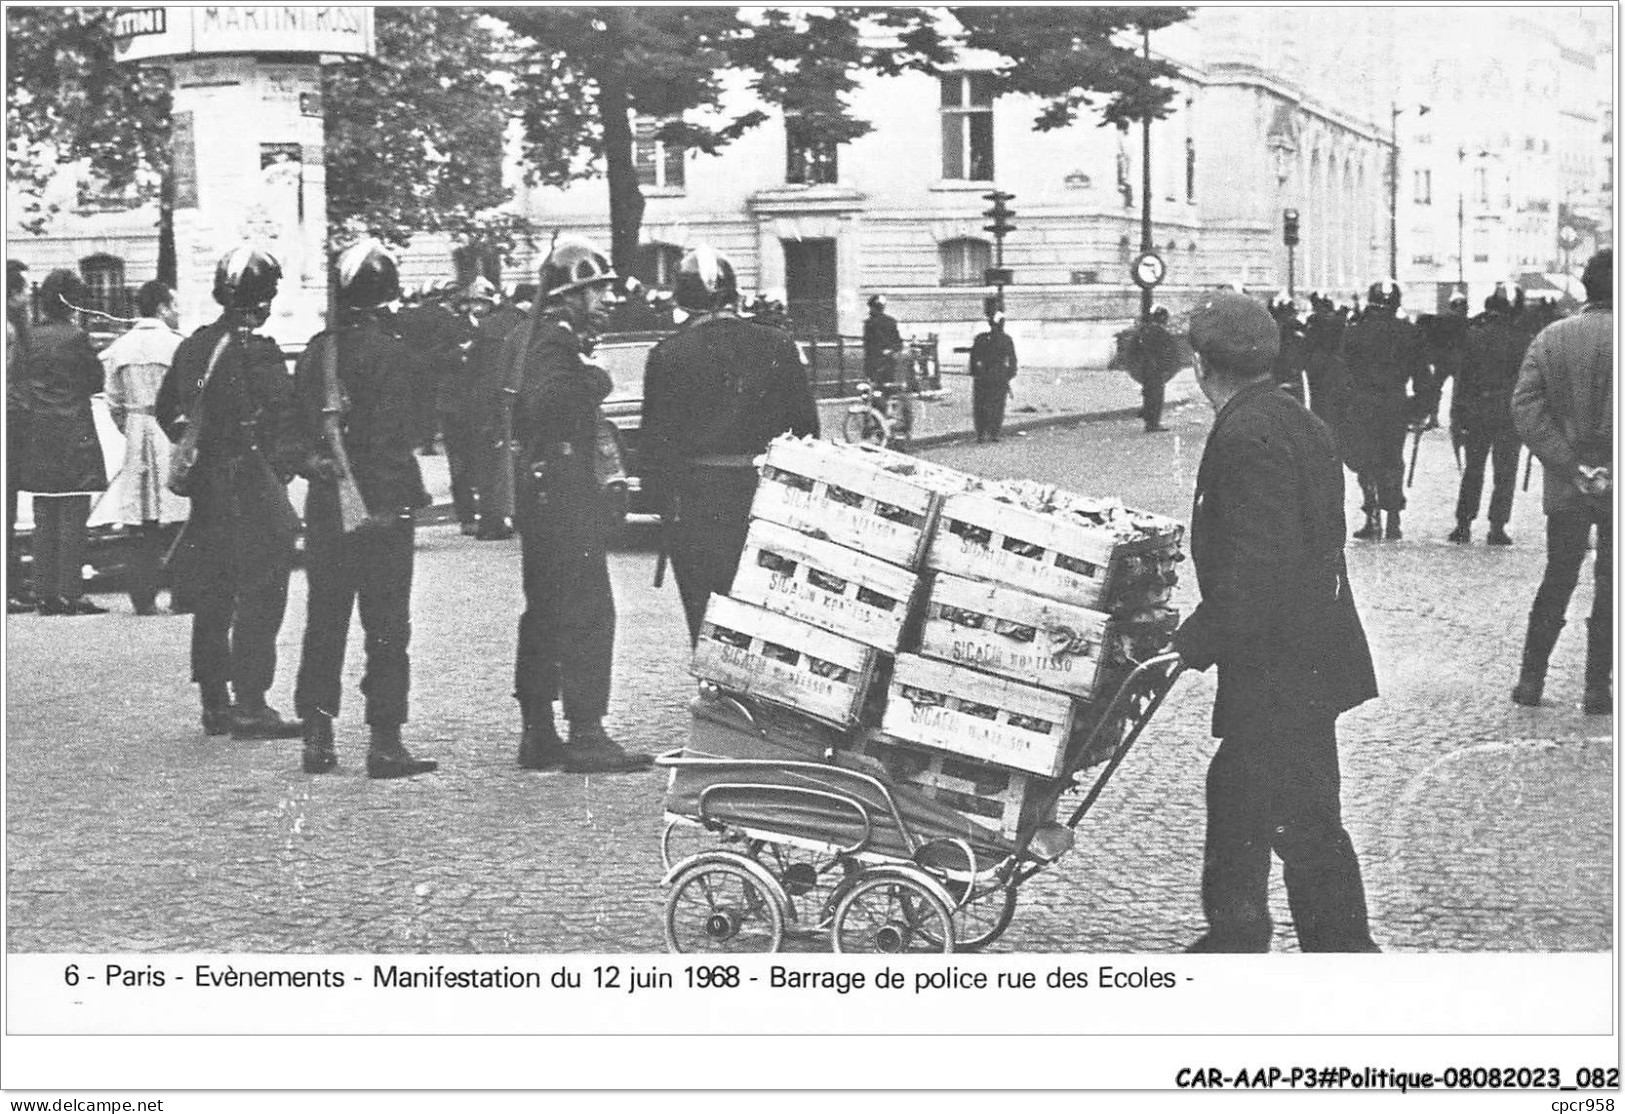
(961, 634)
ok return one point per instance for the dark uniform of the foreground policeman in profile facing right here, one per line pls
(566, 636)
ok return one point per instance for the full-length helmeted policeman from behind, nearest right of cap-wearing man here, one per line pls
(1389, 379)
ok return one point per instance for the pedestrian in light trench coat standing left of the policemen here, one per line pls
(139, 496)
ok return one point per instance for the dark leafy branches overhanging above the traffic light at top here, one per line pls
(1077, 59)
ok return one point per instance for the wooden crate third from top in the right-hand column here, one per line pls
(977, 715)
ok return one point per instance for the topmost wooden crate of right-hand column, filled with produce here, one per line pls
(1051, 555)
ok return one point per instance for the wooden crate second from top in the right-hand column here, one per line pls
(1018, 636)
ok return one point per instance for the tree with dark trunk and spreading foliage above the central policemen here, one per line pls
(587, 77)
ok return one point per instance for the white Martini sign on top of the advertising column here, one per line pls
(178, 32)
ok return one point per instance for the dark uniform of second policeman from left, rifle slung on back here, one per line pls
(375, 564)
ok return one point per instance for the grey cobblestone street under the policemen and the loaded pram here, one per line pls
(1481, 826)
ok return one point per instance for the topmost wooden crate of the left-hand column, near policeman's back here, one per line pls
(849, 498)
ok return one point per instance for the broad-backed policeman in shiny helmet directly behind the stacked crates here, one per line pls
(714, 395)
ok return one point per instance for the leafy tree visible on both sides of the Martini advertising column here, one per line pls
(417, 145)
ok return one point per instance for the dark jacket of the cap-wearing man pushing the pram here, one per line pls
(1278, 613)
